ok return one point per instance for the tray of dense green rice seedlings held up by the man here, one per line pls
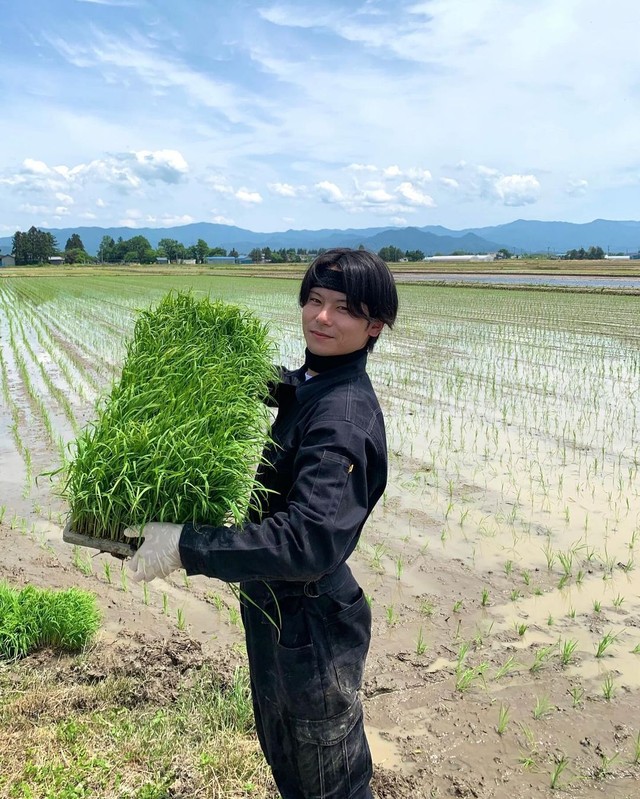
(179, 435)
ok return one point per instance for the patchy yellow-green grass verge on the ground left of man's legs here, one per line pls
(105, 741)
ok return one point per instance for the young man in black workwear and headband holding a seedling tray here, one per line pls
(306, 620)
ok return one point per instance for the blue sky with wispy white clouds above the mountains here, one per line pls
(276, 115)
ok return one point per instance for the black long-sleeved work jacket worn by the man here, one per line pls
(324, 473)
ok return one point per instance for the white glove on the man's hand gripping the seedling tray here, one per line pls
(159, 555)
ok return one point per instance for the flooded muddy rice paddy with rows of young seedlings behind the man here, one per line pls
(502, 564)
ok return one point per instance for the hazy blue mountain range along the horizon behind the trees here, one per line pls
(521, 236)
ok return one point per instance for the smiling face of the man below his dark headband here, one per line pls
(329, 328)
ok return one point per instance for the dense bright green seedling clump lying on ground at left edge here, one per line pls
(31, 618)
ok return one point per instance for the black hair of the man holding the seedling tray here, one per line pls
(368, 284)
